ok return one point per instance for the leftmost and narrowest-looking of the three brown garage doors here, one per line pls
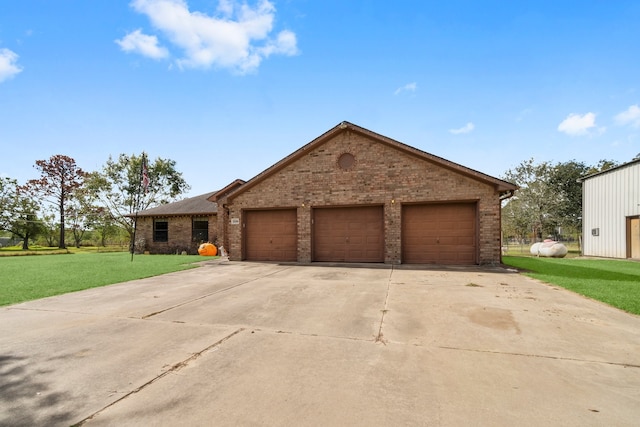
(271, 235)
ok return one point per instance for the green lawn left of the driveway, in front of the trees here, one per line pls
(25, 278)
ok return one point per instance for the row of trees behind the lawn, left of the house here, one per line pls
(66, 196)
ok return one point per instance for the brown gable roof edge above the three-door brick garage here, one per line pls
(503, 187)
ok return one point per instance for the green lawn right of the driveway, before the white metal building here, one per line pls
(615, 282)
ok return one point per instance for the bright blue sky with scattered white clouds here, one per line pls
(227, 88)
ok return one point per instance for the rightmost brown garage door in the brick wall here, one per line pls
(439, 233)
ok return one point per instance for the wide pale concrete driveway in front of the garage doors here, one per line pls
(266, 344)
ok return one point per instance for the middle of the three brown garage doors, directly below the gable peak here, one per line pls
(348, 234)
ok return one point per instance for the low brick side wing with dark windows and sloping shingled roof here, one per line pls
(179, 226)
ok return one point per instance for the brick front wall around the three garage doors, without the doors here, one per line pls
(382, 175)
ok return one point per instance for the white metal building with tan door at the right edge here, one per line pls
(611, 212)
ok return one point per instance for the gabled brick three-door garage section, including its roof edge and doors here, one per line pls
(352, 195)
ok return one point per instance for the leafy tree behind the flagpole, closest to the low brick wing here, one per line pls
(119, 187)
